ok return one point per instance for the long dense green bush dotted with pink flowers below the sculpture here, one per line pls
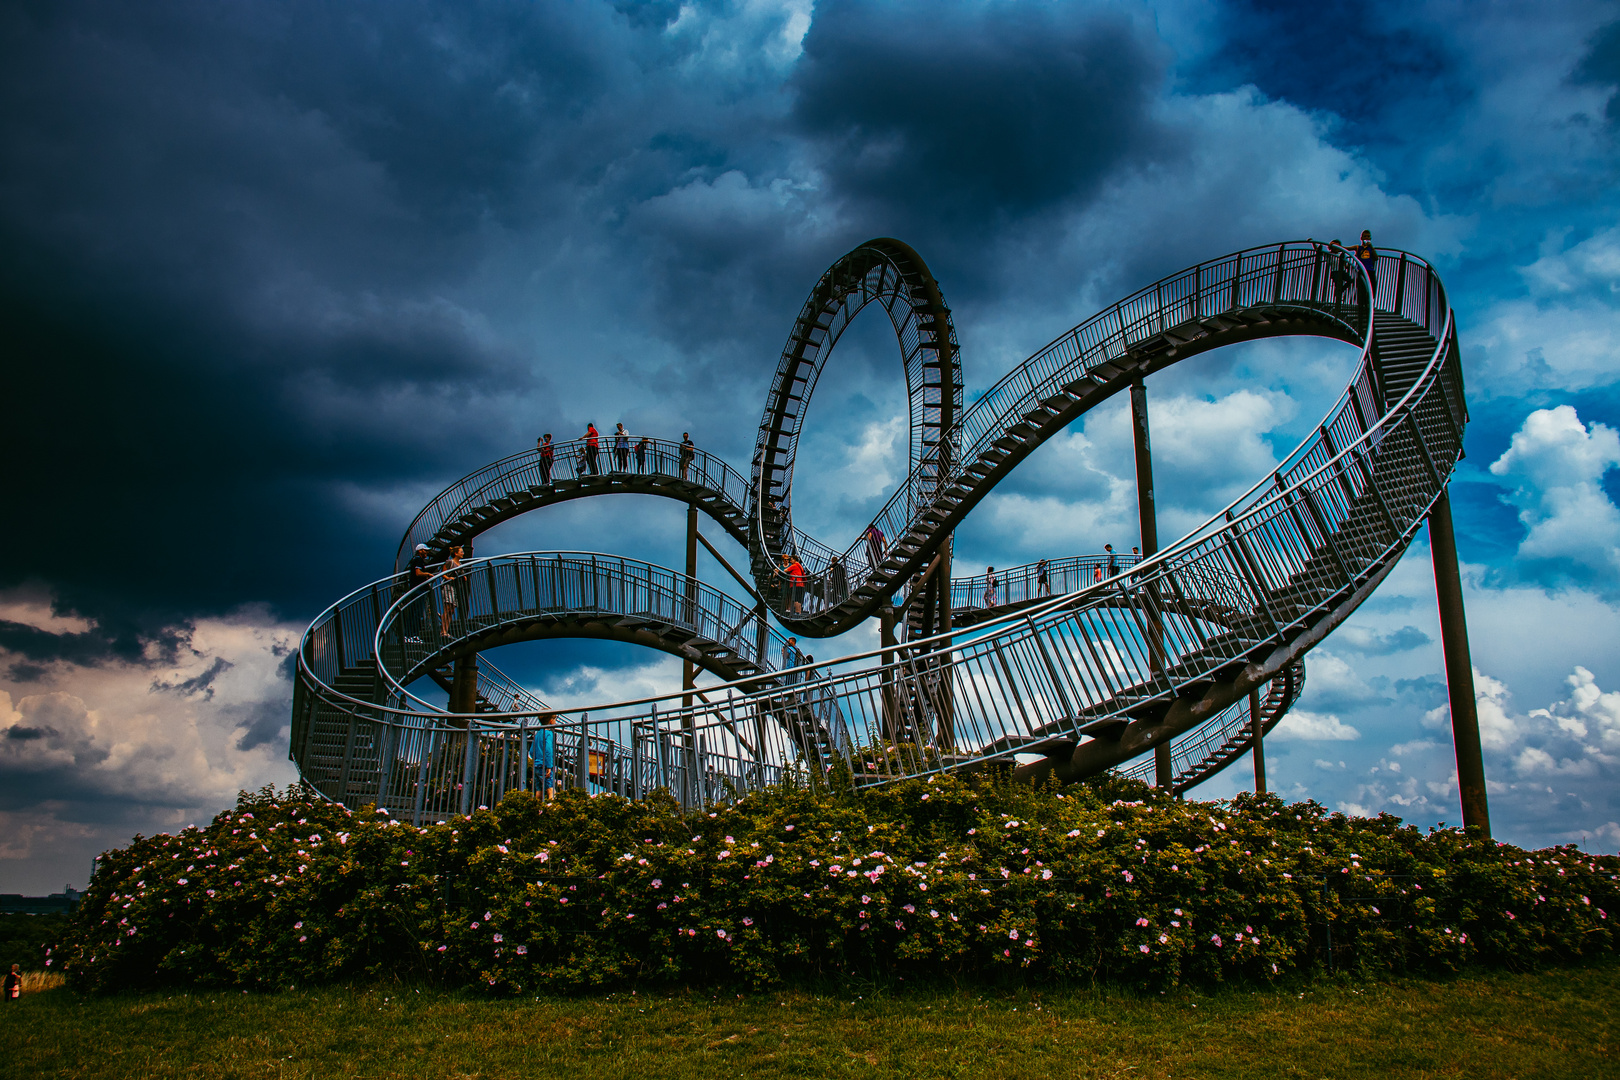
(940, 878)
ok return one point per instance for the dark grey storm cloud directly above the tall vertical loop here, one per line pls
(960, 117)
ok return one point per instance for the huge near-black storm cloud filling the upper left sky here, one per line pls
(228, 240)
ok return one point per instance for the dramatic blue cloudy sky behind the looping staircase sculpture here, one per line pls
(276, 274)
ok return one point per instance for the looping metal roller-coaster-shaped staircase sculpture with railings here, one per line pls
(1085, 668)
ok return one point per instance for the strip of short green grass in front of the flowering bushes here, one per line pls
(1550, 1024)
